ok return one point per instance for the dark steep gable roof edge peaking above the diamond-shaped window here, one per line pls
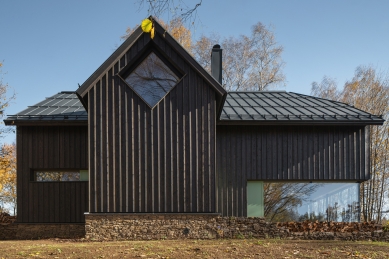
(122, 49)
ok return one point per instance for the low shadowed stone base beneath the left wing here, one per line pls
(41, 231)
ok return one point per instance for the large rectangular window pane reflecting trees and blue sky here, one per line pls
(312, 201)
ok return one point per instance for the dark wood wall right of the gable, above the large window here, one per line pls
(278, 153)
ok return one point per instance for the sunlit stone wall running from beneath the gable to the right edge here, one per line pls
(211, 226)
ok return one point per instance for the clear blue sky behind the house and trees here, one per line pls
(51, 46)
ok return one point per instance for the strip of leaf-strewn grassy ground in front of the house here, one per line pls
(233, 248)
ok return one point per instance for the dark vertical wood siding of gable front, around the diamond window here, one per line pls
(152, 160)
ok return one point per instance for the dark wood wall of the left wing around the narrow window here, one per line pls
(51, 147)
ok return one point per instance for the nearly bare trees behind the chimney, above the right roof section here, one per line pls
(249, 62)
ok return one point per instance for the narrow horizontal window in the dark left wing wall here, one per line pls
(60, 176)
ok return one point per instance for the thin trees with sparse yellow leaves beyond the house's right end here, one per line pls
(368, 91)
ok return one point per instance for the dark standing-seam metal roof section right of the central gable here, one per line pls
(280, 107)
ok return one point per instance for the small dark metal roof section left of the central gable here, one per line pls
(61, 107)
